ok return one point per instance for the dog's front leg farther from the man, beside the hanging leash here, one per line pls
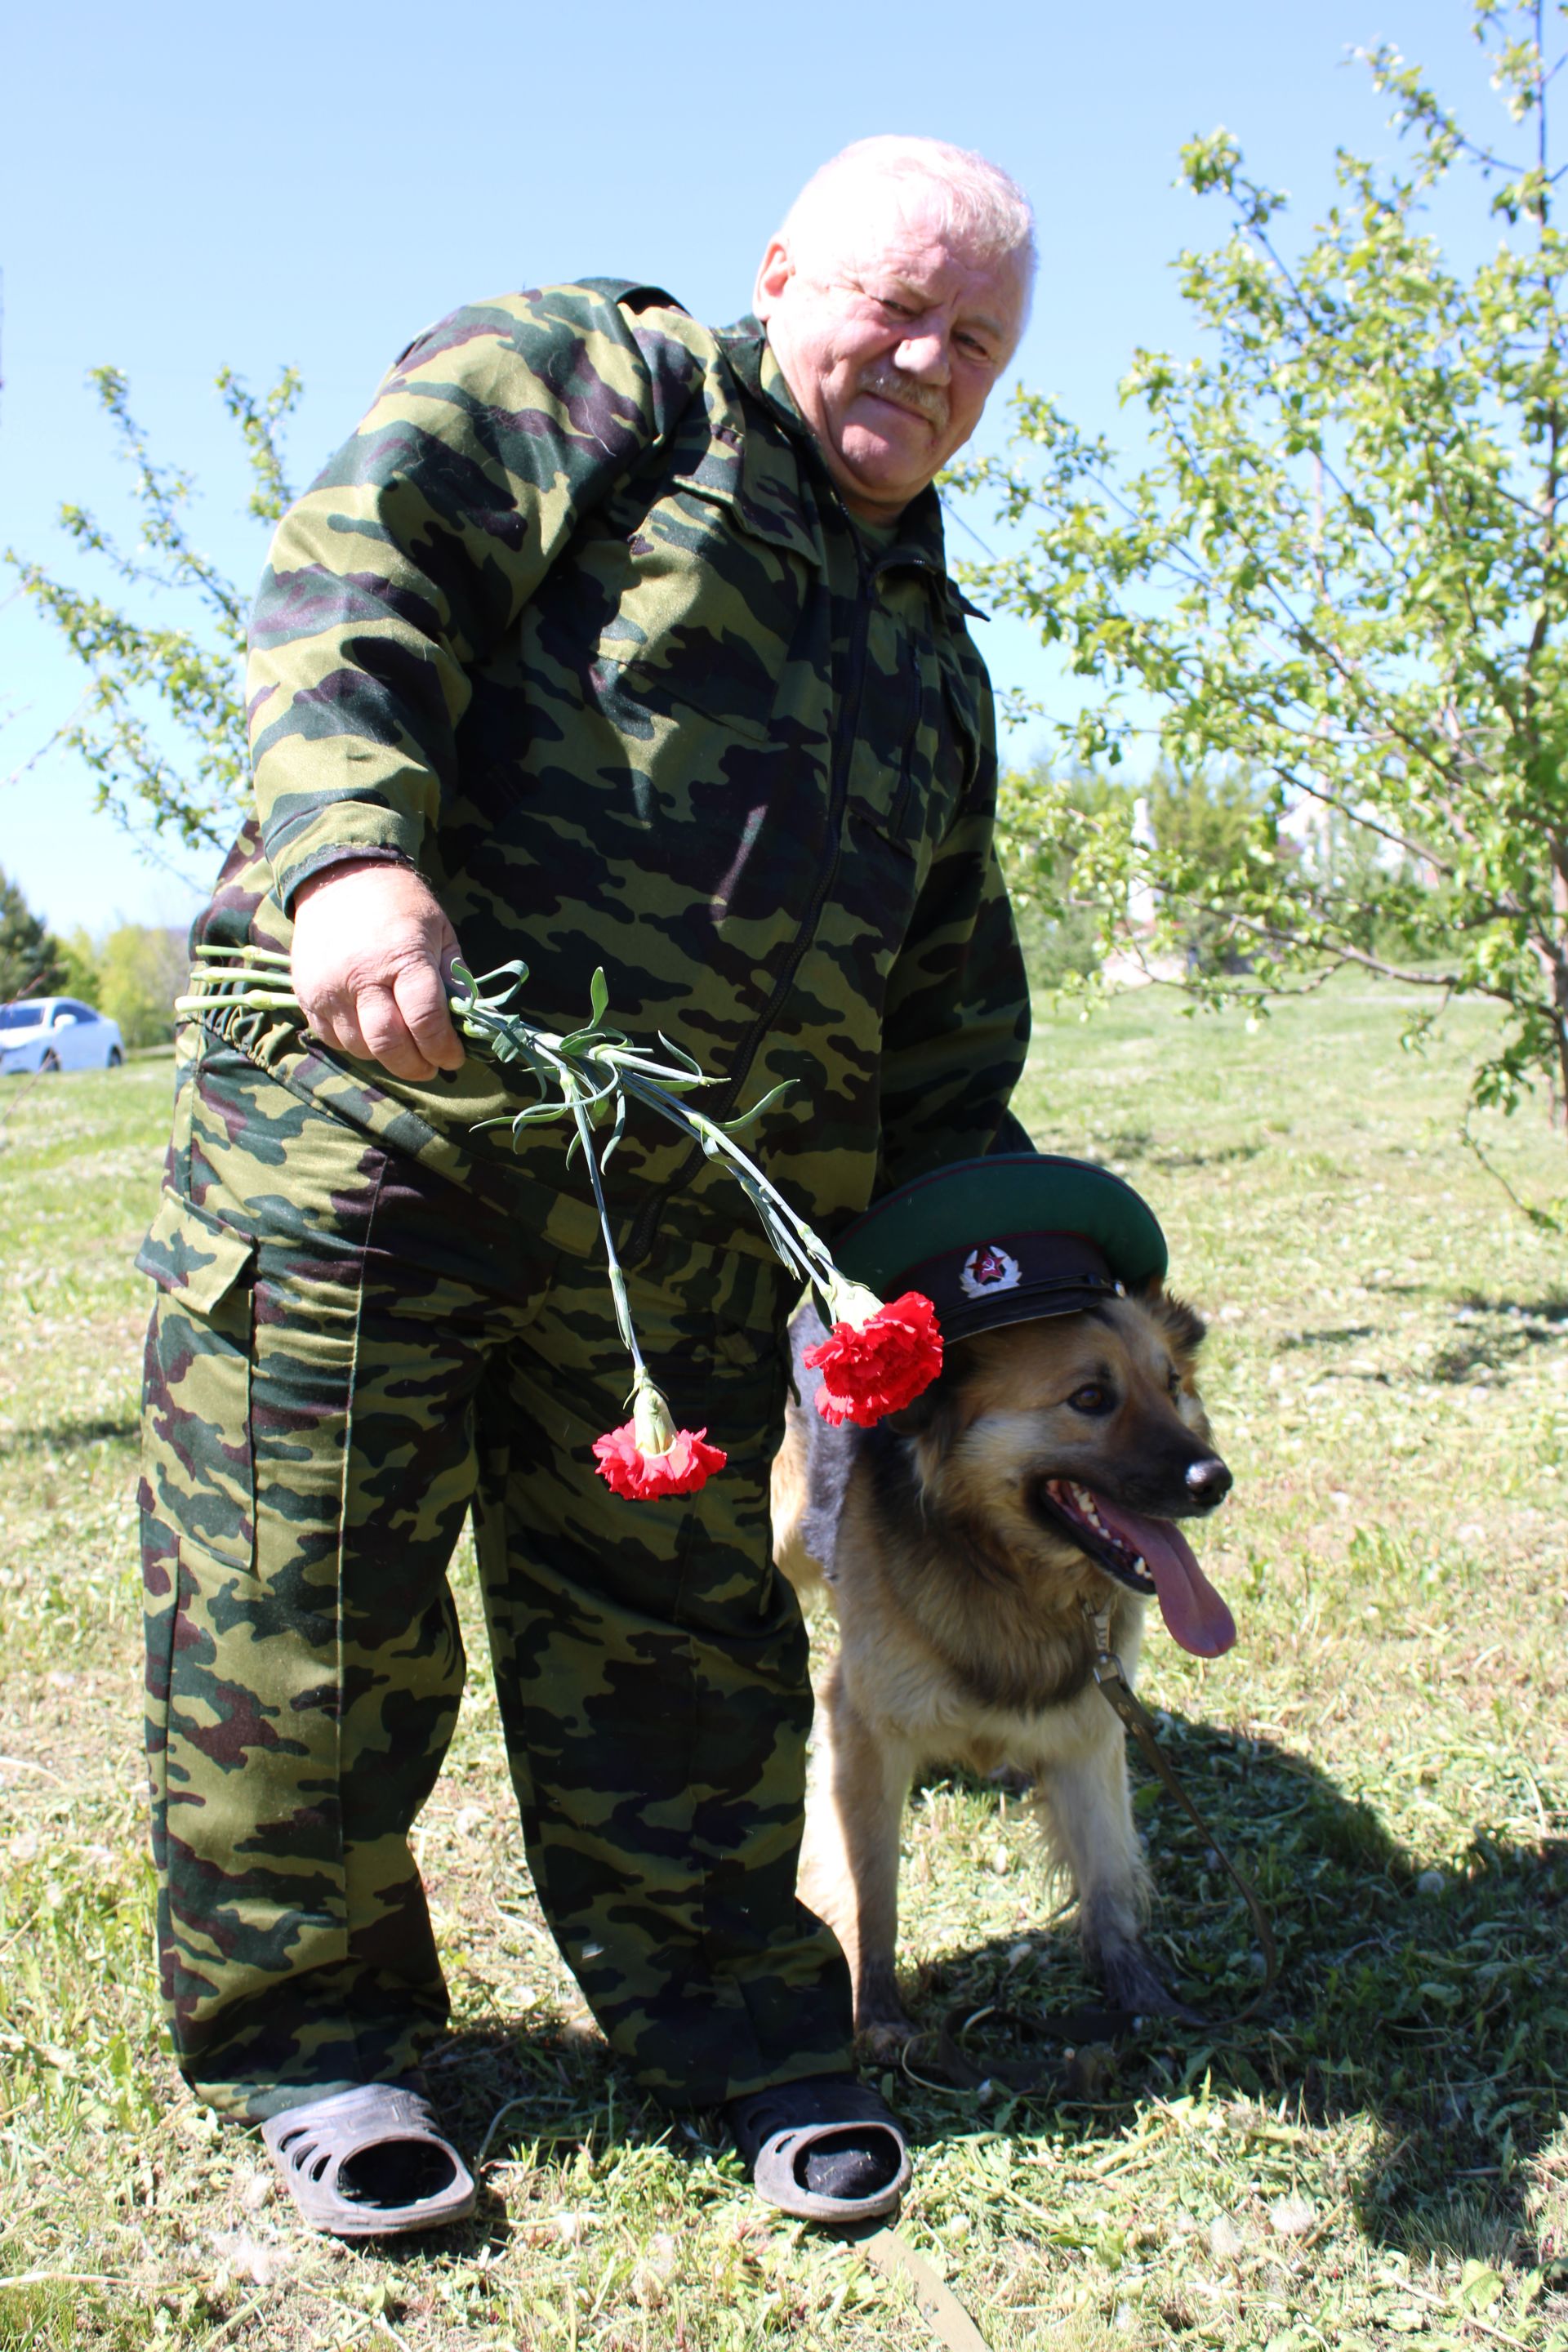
(1087, 1817)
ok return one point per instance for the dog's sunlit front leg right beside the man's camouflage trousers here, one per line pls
(850, 1859)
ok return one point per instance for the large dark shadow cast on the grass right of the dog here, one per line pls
(1430, 2000)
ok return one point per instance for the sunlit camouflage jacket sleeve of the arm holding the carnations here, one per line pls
(417, 549)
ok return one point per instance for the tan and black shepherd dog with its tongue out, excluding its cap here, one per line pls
(965, 1546)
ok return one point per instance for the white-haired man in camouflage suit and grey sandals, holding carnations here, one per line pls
(605, 641)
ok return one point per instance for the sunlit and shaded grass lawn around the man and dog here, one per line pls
(1381, 2156)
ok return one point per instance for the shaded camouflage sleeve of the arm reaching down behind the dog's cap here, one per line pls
(958, 1017)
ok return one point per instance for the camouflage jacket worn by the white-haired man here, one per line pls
(579, 627)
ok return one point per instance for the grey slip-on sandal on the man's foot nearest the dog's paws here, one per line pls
(824, 2149)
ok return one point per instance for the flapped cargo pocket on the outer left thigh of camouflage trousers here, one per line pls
(199, 1462)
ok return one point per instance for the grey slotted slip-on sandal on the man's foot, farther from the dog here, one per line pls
(370, 2163)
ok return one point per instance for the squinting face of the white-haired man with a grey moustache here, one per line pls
(890, 338)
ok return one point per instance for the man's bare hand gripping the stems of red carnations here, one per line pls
(370, 963)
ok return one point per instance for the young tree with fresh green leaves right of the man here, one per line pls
(1339, 575)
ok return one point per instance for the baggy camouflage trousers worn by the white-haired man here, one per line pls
(347, 1356)
